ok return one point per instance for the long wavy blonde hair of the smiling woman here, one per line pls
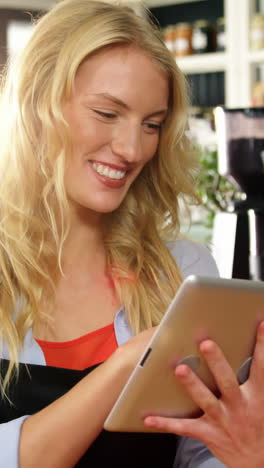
(35, 145)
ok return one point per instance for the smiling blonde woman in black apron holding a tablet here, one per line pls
(93, 161)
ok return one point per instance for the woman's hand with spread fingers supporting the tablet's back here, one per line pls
(232, 426)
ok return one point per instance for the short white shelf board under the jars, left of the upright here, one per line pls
(203, 63)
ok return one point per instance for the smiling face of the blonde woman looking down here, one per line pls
(115, 113)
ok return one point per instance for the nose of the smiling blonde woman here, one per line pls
(127, 142)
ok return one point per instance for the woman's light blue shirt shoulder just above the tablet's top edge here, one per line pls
(193, 258)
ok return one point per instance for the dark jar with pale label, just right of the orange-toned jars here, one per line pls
(203, 37)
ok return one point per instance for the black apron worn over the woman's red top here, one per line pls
(38, 386)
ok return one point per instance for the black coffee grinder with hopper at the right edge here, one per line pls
(238, 237)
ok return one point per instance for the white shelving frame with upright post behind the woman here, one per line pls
(238, 62)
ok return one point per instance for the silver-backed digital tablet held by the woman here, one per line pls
(226, 310)
